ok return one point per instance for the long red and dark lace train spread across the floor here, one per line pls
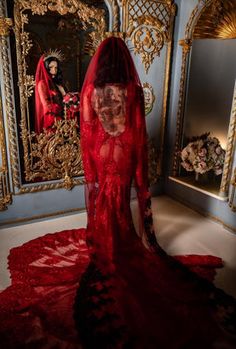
(144, 303)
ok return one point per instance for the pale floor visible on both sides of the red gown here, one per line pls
(179, 230)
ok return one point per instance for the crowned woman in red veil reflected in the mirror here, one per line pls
(49, 91)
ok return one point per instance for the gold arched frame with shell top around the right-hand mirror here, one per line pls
(209, 19)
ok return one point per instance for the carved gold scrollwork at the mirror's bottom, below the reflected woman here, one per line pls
(56, 154)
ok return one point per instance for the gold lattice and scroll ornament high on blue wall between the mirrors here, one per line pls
(148, 26)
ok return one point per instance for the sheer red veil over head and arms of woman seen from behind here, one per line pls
(113, 64)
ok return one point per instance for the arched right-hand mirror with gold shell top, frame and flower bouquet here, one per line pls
(204, 136)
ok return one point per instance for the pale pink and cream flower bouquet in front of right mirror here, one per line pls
(202, 154)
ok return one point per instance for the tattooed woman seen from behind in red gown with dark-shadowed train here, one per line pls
(132, 296)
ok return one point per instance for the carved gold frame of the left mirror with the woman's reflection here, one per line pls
(52, 151)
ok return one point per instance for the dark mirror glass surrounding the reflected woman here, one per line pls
(63, 34)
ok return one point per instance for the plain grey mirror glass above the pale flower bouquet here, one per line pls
(210, 88)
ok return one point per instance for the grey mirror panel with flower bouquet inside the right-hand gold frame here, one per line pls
(209, 97)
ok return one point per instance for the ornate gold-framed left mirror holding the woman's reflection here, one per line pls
(74, 31)
